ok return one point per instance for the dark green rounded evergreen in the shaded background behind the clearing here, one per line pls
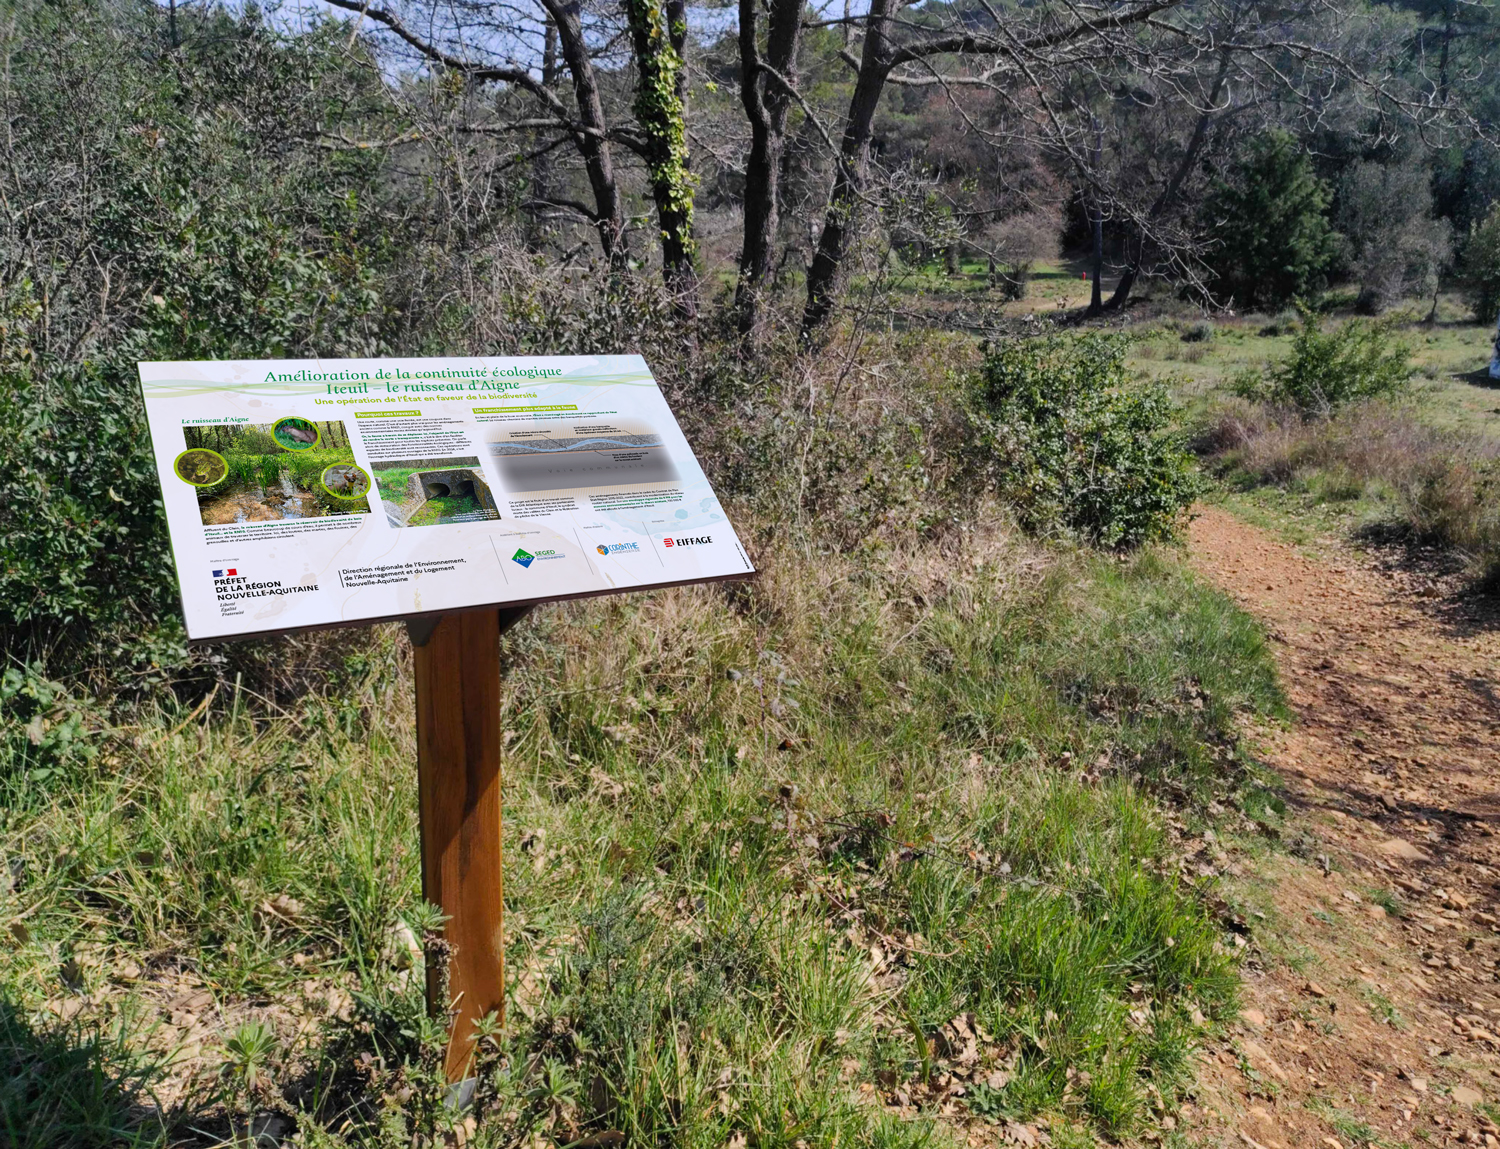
(1270, 220)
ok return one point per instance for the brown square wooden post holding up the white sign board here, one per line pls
(460, 793)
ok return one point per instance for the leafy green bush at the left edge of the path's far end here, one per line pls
(1076, 446)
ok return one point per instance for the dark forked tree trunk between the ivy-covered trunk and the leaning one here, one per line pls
(767, 103)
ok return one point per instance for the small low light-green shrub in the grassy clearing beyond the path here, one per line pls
(1327, 370)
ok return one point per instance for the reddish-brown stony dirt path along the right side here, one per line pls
(1364, 1025)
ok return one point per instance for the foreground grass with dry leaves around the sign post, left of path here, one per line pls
(739, 905)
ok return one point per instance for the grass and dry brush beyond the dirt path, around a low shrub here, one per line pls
(1418, 467)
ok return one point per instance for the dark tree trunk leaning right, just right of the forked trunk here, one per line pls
(854, 163)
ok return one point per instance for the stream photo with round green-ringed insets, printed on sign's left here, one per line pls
(292, 469)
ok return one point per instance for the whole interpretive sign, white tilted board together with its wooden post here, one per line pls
(451, 493)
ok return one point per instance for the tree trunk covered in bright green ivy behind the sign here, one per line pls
(658, 34)
